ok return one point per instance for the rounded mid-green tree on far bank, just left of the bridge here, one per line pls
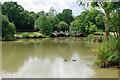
(44, 24)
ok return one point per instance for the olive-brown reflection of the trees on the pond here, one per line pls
(16, 52)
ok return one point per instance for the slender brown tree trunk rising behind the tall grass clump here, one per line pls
(106, 25)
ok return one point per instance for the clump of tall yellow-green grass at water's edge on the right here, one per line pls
(108, 53)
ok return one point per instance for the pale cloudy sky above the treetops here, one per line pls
(58, 5)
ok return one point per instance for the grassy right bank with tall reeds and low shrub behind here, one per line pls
(107, 52)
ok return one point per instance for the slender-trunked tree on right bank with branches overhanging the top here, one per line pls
(107, 7)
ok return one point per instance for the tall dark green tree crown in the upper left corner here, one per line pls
(11, 10)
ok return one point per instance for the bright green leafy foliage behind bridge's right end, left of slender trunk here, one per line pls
(88, 21)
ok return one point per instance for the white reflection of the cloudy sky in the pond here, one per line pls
(38, 68)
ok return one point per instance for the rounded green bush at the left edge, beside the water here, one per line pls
(8, 29)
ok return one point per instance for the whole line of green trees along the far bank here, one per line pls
(89, 21)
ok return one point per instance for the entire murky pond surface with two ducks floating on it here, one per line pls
(44, 58)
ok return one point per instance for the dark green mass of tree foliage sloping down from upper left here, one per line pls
(22, 19)
